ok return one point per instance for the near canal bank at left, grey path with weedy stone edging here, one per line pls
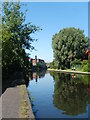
(15, 101)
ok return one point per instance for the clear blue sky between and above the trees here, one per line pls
(52, 17)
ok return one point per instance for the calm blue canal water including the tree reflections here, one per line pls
(59, 95)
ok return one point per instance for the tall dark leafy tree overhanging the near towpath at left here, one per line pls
(16, 37)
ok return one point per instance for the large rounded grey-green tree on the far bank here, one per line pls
(69, 42)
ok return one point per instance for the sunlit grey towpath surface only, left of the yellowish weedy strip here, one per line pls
(11, 100)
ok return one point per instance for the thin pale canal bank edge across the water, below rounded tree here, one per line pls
(68, 71)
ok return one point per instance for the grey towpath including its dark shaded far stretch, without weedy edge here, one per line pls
(11, 98)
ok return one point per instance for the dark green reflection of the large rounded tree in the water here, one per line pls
(69, 94)
